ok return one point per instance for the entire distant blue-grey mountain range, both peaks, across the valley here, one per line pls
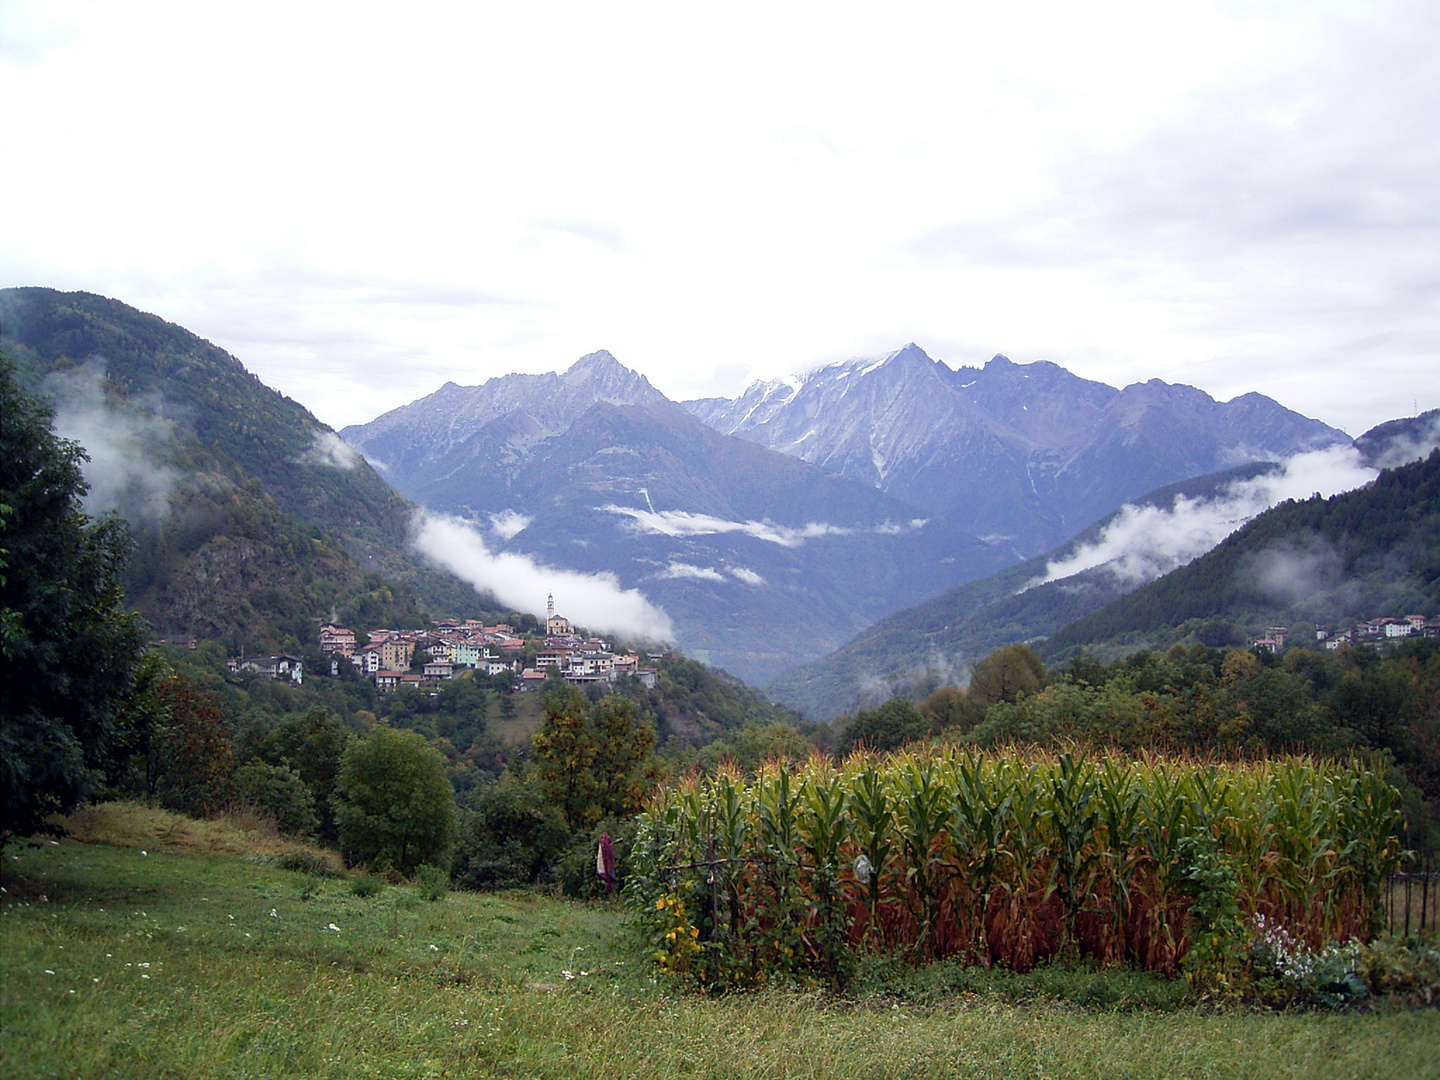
(775, 526)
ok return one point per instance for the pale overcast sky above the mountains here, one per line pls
(365, 201)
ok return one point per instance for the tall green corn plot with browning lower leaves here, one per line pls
(1004, 859)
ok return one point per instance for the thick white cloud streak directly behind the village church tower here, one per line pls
(595, 601)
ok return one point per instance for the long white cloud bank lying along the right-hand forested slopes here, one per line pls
(1144, 542)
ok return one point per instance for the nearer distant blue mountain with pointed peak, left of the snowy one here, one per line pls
(760, 559)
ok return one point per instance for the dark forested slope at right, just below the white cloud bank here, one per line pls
(1366, 554)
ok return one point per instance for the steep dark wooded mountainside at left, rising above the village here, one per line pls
(253, 518)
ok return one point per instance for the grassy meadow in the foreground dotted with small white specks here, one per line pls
(199, 960)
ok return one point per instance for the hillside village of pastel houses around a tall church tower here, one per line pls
(453, 646)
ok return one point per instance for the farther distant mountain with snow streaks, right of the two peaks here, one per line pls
(1022, 454)
